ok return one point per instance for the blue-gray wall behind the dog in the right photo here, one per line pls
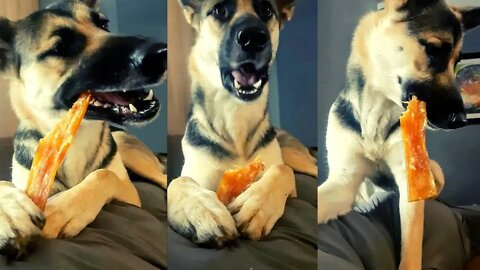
(458, 152)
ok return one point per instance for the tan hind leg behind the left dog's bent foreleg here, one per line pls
(138, 157)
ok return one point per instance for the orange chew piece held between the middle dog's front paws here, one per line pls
(234, 182)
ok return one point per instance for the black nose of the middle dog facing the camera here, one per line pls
(252, 39)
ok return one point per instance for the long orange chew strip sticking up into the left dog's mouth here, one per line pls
(51, 151)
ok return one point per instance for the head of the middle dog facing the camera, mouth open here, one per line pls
(238, 40)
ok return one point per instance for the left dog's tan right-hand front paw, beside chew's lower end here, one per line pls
(68, 213)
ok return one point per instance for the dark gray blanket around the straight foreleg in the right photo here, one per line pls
(369, 238)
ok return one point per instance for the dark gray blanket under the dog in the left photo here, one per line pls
(121, 237)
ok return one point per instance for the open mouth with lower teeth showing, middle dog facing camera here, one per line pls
(246, 82)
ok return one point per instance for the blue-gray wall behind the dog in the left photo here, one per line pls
(146, 18)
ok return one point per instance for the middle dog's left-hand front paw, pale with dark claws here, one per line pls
(197, 213)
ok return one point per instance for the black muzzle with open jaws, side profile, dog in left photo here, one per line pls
(119, 75)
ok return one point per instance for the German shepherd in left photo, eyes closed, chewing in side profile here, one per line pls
(50, 58)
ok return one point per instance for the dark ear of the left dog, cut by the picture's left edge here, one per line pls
(7, 34)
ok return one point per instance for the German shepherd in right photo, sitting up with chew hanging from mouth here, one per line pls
(408, 49)
